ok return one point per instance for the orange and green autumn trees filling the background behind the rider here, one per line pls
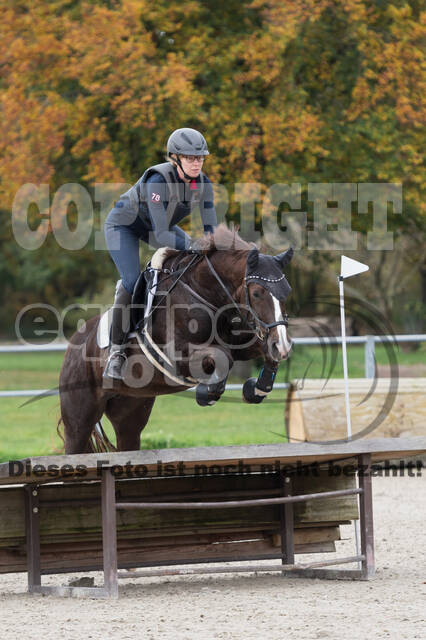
(285, 92)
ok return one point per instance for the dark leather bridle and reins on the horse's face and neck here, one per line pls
(250, 319)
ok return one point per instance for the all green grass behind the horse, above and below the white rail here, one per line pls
(176, 421)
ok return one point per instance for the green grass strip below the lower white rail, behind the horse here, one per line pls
(176, 421)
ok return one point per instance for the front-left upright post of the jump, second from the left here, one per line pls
(109, 534)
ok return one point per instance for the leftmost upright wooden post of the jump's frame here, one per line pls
(32, 530)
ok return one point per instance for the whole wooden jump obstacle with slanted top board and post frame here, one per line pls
(172, 507)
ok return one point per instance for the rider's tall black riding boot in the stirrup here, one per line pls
(120, 327)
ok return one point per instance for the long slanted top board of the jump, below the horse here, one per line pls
(184, 461)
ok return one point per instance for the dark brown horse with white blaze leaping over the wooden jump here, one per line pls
(221, 303)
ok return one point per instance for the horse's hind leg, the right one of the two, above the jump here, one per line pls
(128, 417)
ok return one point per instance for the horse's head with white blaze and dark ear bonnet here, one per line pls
(266, 290)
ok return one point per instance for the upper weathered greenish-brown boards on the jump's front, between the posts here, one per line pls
(81, 518)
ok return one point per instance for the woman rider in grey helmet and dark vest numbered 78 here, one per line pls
(150, 211)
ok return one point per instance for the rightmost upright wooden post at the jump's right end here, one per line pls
(366, 516)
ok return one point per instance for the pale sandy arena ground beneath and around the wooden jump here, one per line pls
(250, 606)
